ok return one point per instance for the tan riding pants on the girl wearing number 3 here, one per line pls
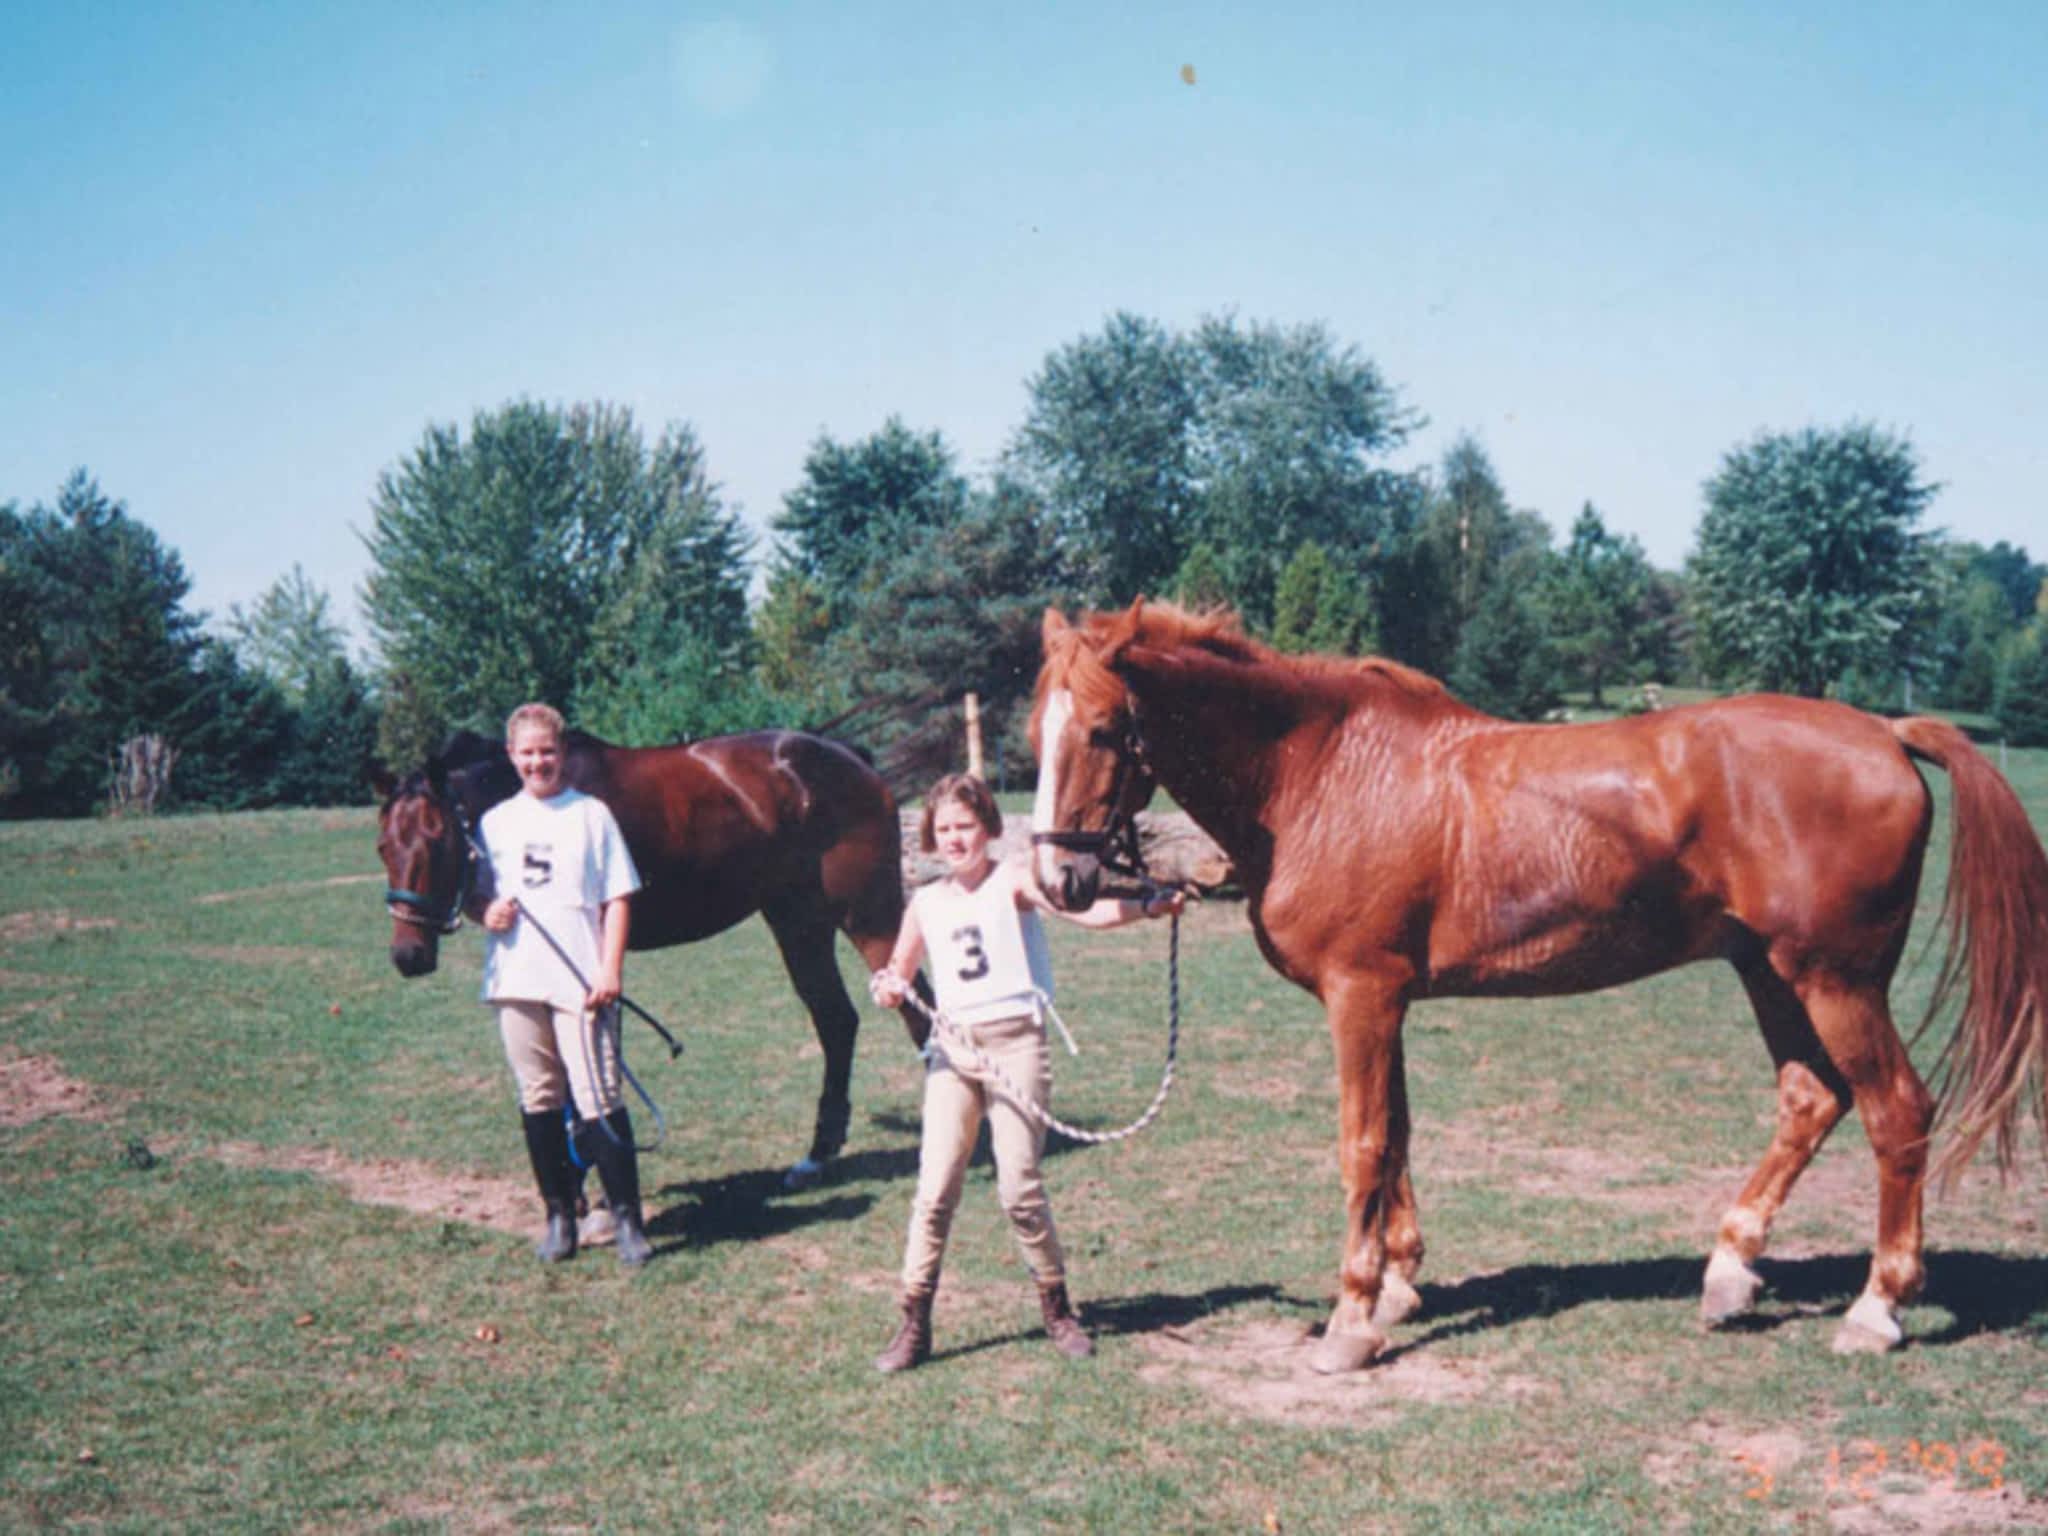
(955, 1101)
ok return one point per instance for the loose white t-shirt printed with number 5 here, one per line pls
(564, 859)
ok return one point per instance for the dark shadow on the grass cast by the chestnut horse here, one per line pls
(1983, 1293)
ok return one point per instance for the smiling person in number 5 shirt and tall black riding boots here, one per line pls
(560, 863)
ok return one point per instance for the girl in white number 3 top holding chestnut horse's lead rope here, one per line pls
(984, 943)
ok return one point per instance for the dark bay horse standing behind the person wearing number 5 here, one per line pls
(785, 824)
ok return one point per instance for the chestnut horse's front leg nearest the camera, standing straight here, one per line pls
(1365, 1025)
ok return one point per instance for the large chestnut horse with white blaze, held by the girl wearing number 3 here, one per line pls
(1398, 845)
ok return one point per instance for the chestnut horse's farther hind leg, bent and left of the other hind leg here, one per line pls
(1811, 1099)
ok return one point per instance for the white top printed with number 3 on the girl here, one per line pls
(988, 955)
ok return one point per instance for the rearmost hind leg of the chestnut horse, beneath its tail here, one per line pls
(1857, 1027)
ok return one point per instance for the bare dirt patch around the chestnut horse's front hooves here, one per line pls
(1263, 1371)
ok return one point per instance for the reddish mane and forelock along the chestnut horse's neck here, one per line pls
(1082, 658)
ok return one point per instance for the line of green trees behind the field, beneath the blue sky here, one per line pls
(560, 552)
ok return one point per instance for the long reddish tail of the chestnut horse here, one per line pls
(1998, 953)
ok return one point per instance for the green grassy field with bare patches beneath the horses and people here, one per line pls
(218, 1314)
